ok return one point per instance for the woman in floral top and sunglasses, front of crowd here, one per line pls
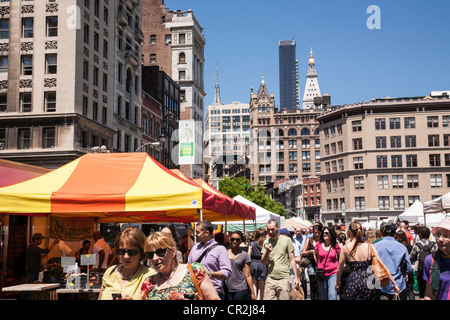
(173, 279)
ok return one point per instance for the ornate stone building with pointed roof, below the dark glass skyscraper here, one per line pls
(284, 144)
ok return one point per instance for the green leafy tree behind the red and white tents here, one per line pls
(256, 193)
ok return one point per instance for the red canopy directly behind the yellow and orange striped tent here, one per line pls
(229, 204)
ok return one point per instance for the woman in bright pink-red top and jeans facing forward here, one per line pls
(327, 256)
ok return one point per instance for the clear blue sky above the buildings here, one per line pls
(408, 56)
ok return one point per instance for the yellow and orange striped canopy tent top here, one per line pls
(114, 187)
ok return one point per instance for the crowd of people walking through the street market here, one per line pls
(273, 263)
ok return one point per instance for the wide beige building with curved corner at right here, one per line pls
(378, 157)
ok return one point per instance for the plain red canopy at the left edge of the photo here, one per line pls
(14, 172)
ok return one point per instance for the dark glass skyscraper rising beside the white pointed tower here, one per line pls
(289, 79)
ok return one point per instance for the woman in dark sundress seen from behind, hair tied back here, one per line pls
(358, 255)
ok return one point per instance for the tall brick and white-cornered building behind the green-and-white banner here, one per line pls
(176, 44)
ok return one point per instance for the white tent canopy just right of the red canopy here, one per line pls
(262, 216)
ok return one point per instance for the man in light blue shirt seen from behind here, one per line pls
(393, 254)
